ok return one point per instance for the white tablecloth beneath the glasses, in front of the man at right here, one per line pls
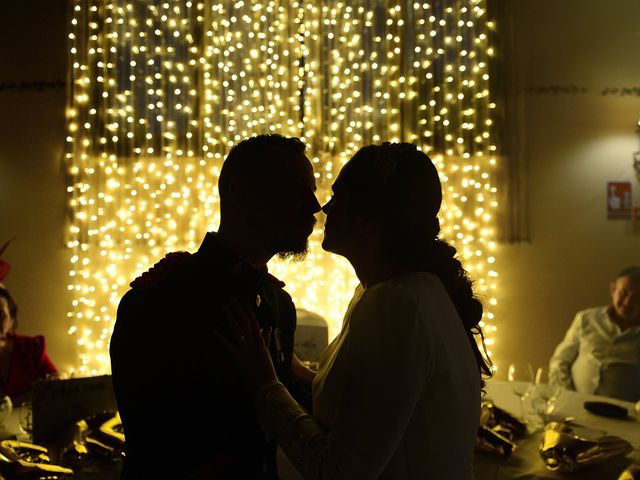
(526, 463)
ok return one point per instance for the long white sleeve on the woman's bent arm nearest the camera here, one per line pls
(387, 362)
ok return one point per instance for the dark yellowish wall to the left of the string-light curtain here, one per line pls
(33, 48)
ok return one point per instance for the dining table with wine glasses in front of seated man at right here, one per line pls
(526, 463)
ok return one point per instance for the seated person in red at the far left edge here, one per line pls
(23, 359)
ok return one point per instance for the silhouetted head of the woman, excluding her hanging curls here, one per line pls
(392, 186)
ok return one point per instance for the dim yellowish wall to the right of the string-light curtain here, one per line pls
(573, 144)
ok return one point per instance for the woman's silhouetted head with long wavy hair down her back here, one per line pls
(393, 191)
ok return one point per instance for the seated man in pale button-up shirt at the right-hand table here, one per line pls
(600, 353)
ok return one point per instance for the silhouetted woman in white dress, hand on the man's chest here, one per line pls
(397, 395)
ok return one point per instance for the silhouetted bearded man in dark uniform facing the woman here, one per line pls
(185, 412)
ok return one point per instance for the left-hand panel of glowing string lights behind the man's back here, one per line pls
(137, 185)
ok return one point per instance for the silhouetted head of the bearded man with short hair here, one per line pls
(267, 190)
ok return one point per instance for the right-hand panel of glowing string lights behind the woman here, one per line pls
(416, 72)
